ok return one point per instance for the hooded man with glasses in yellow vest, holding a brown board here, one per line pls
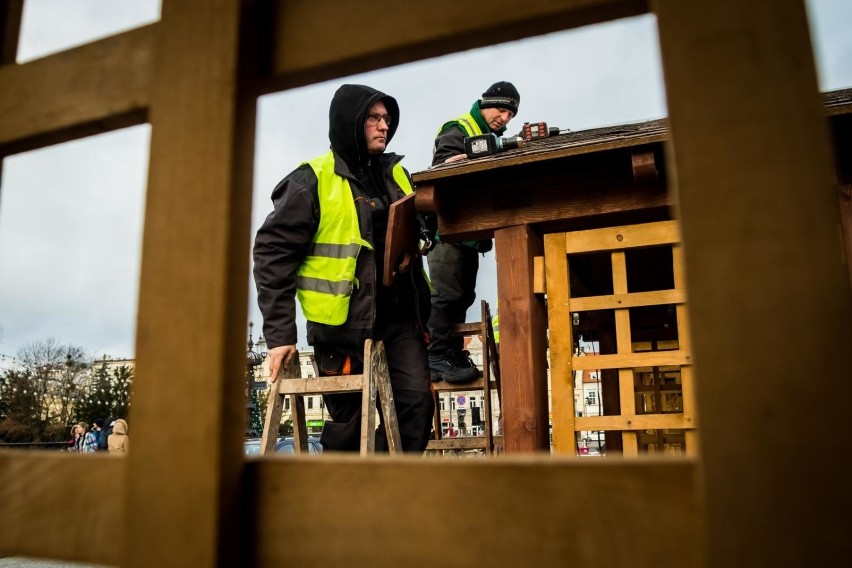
(324, 243)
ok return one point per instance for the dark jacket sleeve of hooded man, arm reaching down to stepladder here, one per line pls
(280, 246)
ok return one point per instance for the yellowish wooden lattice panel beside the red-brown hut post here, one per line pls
(615, 240)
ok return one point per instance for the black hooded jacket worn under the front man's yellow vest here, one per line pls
(282, 242)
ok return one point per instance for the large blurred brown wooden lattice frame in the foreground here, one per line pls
(188, 498)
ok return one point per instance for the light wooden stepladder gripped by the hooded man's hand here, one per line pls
(374, 385)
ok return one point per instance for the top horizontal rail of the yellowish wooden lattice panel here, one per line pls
(623, 237)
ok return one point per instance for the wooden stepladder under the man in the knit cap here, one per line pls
(458, 399)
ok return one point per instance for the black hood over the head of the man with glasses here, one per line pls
(346, 116)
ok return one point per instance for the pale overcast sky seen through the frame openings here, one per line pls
(71, 215)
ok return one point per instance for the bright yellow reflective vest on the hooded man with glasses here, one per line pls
(326, 278)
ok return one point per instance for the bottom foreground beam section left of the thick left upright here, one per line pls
(55, 505)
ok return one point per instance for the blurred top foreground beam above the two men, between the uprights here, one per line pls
(419, 31)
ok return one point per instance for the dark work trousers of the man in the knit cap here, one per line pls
(452, 270)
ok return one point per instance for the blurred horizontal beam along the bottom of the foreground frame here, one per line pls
(557, 518)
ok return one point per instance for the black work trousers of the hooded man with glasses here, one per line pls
(406, 354)
